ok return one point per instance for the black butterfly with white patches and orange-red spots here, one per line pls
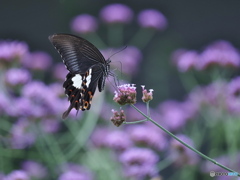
(87, 70)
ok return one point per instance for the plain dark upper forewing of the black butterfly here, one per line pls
(77, 53)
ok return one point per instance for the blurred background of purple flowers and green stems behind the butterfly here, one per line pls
(187, 52)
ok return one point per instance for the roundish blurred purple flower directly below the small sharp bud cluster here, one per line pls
(118, 140)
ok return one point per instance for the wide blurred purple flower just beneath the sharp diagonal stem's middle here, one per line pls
(147, 135)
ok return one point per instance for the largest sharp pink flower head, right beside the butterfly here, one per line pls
(126, 94)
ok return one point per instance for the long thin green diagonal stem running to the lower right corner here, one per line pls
(188, 146)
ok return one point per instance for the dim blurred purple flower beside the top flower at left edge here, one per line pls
(37, 61)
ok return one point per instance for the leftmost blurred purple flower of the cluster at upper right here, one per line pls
(186, 60)
